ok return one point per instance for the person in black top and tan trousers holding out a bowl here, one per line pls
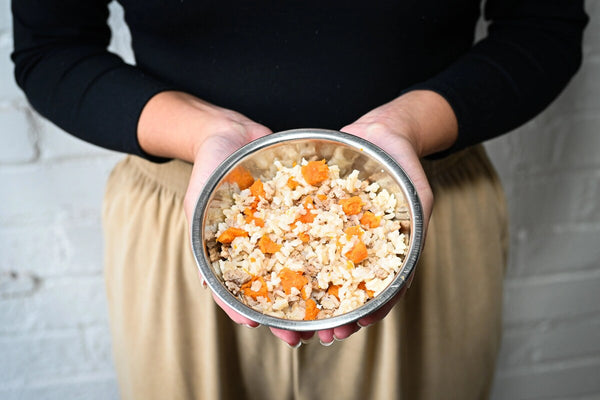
(212, 76)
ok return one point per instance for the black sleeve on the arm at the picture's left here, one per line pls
(69, 77)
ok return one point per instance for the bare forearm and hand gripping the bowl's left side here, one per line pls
(178, 125)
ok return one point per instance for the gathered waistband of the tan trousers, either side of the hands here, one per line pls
(175, 174)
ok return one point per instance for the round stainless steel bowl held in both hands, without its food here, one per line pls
(348, 152)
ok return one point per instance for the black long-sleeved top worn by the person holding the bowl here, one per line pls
(295, 64)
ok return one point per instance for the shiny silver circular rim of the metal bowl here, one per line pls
(371, 150)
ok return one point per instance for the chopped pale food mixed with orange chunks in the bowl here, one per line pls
(306, 243)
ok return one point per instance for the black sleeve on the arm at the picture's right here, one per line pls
(532, 50)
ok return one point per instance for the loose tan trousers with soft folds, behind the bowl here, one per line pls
(172, 342)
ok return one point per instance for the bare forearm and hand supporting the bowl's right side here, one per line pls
(412, 126)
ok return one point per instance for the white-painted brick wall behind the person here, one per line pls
(54, 339)
